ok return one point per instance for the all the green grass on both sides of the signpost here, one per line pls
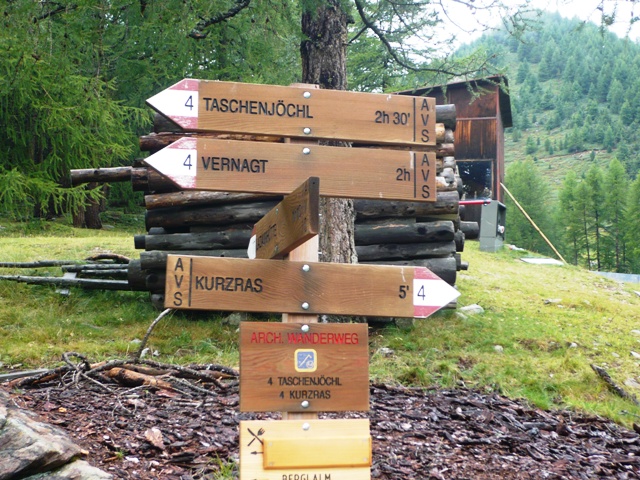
(547, 347)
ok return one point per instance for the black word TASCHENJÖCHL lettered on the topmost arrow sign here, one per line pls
(257, 107)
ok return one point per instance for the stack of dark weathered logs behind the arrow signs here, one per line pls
(220, 223)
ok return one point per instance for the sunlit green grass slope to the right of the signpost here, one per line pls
(542, 328)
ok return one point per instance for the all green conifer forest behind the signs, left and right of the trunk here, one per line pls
(74, 78)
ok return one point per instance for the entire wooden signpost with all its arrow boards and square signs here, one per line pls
(300, 367)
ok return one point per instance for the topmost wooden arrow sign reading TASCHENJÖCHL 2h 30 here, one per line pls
(201, 105)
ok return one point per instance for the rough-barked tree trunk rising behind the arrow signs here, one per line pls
(323, 54)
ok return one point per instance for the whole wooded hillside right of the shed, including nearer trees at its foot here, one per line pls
(572, 156)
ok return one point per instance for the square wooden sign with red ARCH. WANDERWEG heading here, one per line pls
(313, 367)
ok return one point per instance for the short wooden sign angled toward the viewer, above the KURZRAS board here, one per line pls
(291, 223)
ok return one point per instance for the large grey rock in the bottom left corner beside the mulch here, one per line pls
(32, 449)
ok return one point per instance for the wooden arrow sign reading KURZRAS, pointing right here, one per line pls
(213, 283)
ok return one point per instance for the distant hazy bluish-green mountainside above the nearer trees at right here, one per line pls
(574, 90)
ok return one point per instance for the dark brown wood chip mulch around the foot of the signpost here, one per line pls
(148, 433)
